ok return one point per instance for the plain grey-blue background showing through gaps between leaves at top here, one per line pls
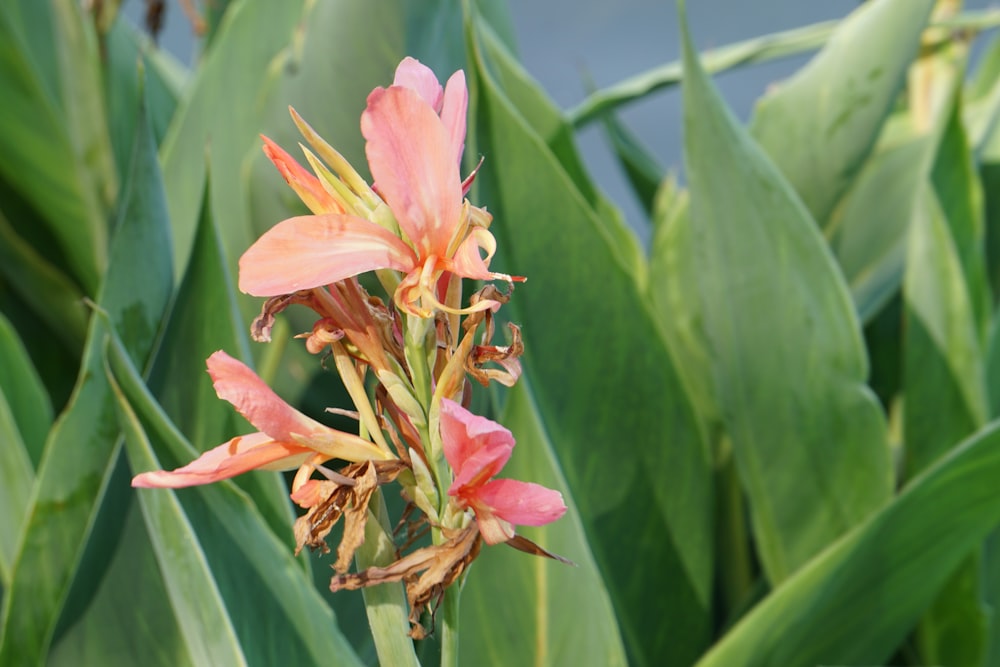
(562, 43)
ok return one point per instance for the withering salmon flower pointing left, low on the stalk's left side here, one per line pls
(287, 438)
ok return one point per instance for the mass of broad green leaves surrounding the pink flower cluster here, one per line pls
(769, 404)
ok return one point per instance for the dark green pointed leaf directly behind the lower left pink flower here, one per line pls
(204, 318)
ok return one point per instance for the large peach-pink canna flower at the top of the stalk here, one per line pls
(415, 133)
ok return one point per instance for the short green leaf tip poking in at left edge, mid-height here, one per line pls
(29, 404)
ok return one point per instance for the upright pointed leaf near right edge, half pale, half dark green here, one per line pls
(945, 392)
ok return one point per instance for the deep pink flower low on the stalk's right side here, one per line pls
(477, 448)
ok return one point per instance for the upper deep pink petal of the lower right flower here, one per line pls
(472, 444)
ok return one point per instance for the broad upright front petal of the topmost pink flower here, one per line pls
(412, 159)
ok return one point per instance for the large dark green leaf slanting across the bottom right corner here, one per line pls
(854, 603)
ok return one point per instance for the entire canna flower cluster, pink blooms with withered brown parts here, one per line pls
(416, 232)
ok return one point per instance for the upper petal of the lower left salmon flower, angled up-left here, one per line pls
(236, 383)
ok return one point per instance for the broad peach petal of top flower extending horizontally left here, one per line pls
(316, 250)
